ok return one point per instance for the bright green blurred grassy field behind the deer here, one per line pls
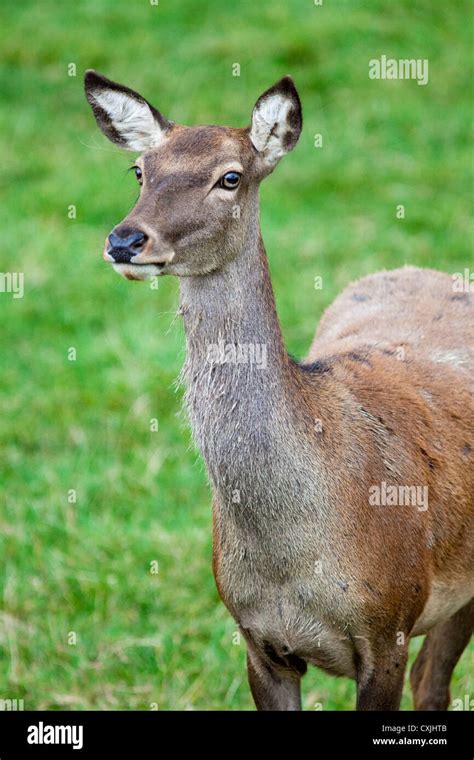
(84, 623)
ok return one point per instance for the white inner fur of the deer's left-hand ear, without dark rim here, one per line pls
(133, 120)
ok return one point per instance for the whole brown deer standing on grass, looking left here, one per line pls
(317, 553)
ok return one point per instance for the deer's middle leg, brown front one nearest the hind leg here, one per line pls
(380, 679)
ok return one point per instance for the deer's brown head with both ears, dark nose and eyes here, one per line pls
(198, 185)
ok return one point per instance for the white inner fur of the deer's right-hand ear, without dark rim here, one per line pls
(269, 125)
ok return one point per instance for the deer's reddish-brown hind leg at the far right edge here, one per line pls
(443, 646)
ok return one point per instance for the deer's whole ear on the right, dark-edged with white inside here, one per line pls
(276, 121)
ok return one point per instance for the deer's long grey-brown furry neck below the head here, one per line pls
(237, 372)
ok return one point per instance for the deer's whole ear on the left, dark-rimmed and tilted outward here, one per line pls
(123, 115)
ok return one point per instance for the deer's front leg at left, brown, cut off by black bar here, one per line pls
(272, 687)
